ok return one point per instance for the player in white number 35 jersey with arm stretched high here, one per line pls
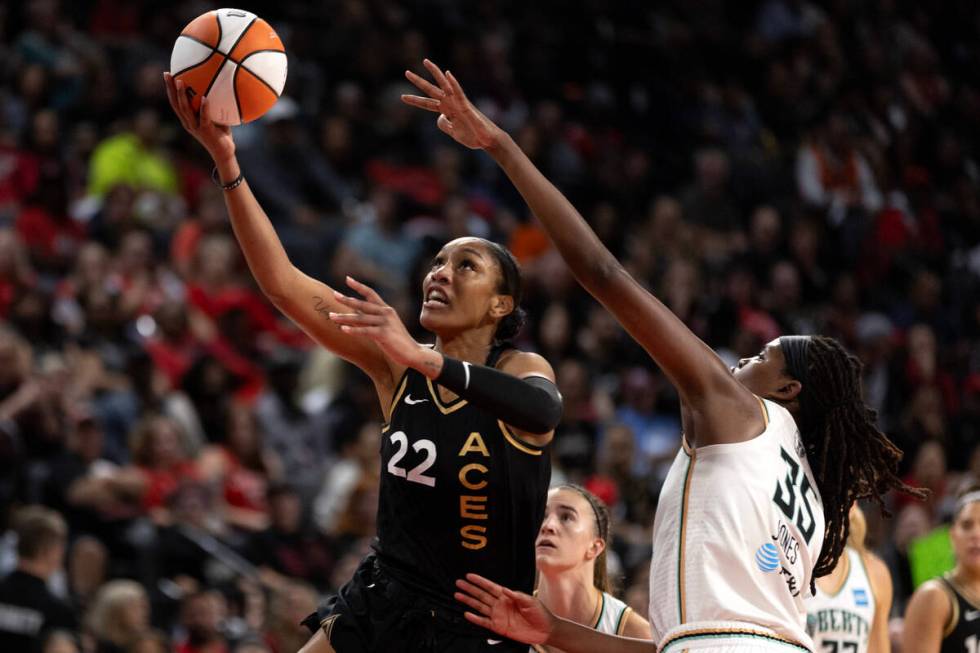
(774, 452)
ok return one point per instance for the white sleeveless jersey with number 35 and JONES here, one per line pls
(738, 531)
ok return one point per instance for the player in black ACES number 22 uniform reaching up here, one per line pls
(464, 466)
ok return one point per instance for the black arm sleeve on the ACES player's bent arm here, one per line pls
(532, 404)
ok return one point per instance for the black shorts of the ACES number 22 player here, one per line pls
(375, 613)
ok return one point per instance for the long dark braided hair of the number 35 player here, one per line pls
(850, 457)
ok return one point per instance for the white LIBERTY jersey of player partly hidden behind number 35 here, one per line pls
(842, 621)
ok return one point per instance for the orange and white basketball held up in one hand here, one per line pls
(235, 59)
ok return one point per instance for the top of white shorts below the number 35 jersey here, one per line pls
(727, 637)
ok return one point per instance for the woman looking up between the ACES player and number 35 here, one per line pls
(573, 581)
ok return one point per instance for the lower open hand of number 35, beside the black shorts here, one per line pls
(511, 614)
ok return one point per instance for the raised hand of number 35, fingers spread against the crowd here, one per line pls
(457, 115)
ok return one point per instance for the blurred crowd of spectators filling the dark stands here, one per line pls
(763, 167)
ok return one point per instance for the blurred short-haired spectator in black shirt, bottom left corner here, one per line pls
(28, 608)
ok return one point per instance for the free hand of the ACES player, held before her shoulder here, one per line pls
(374, 319)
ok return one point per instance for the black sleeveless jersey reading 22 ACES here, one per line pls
(459, 493)
